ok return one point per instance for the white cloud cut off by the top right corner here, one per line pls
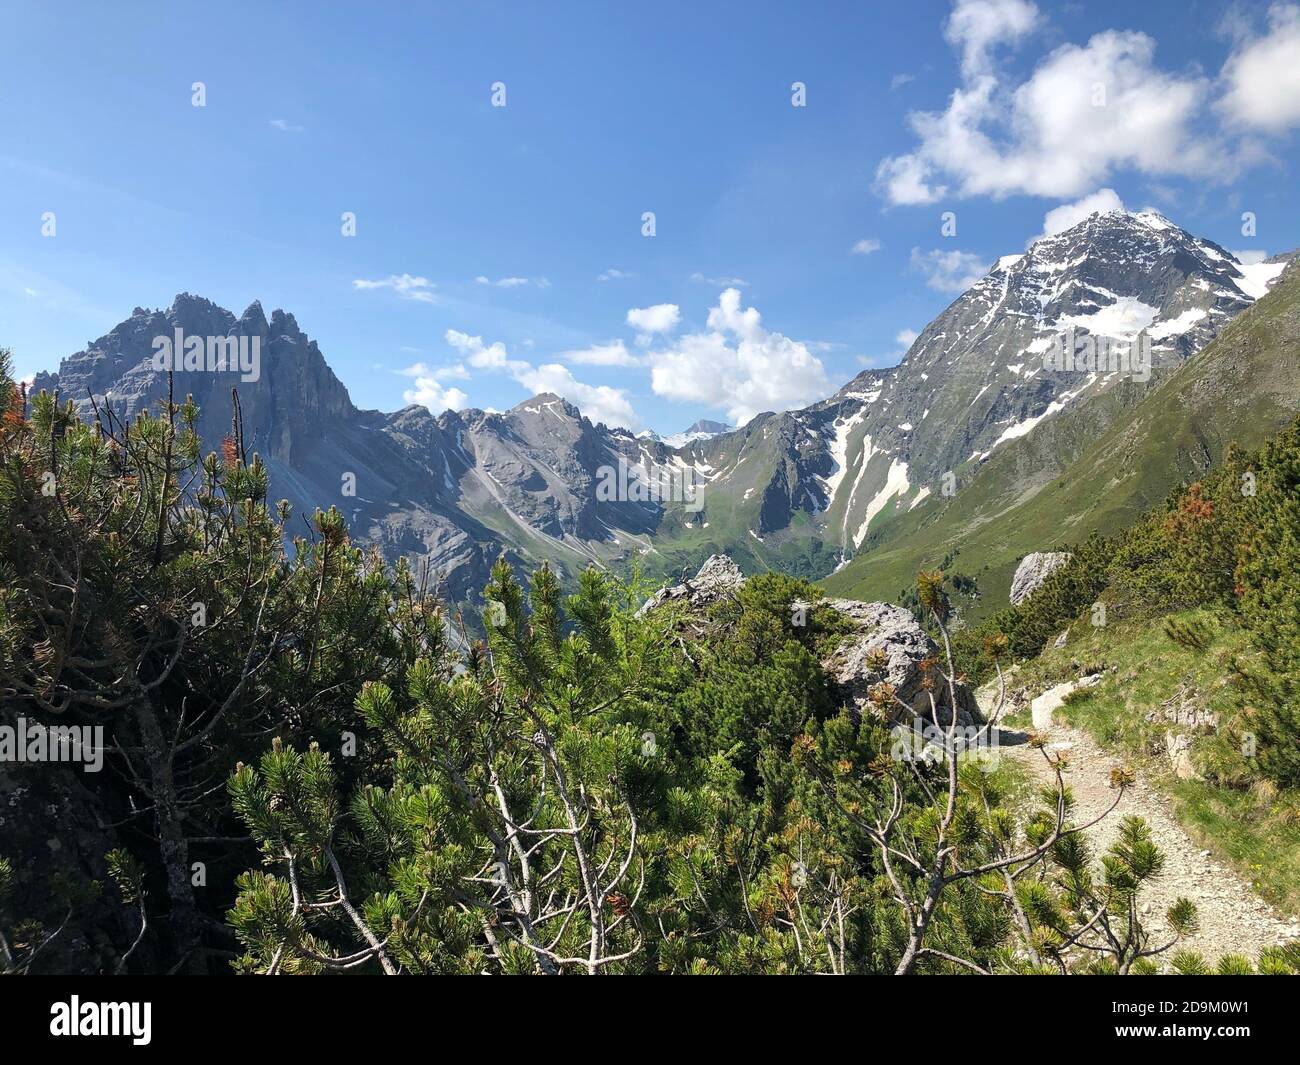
(1263, 76)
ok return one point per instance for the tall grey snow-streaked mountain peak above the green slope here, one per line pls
(982, 374)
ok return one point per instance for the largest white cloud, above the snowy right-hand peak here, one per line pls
(1085, 112)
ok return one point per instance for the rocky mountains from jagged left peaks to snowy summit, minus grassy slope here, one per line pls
(801, 491)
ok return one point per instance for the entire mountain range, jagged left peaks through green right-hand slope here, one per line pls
(903, 466)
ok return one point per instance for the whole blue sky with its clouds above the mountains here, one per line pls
(612, 111)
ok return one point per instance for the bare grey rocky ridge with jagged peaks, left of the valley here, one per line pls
(457, 491)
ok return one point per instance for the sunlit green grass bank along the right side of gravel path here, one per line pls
(1255, 830)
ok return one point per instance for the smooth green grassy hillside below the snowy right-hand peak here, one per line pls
(1098, 467)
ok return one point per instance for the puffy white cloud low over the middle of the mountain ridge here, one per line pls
(738, 366)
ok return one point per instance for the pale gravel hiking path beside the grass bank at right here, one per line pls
(1233, 919)
